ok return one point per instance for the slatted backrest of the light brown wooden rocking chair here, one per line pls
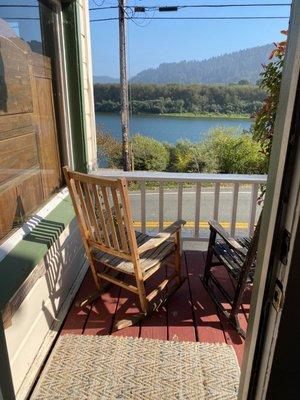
(103, 210)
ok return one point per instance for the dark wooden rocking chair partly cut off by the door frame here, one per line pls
(238, 256)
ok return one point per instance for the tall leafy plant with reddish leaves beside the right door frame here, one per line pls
(263, 127)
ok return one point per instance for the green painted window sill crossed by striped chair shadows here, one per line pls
(19, 263)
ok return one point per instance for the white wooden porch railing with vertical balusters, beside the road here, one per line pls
(197, 180)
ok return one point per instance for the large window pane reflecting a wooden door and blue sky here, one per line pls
(29, 153)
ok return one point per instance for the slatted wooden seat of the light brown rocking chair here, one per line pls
(148, 259)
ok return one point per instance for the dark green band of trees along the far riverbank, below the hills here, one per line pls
(176, 98)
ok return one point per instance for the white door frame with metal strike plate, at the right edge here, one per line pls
(271, 204)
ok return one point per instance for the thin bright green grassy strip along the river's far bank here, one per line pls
(187, 115)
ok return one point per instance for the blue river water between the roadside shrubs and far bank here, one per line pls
(169, 129)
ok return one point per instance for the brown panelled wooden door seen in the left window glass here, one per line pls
(29, 160)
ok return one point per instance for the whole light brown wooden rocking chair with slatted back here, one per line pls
(112, 246)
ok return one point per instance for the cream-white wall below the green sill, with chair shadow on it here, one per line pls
(41, 313)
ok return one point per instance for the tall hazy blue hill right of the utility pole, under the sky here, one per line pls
(228, 68)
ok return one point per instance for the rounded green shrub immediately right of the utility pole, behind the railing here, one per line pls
(149, 154)
